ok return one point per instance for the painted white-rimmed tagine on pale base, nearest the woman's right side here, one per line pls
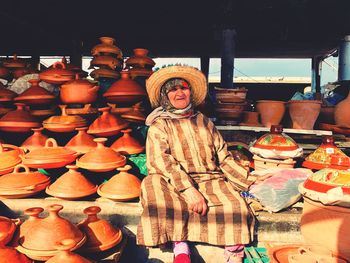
(275, 149)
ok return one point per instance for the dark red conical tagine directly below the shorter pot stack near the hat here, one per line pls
(125, 90)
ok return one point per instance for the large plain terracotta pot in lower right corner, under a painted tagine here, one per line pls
(326, 226)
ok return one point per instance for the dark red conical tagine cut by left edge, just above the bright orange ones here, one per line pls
(19, 120)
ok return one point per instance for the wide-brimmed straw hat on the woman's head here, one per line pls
(194, 76)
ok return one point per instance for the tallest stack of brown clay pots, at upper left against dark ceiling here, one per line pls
(107, 60)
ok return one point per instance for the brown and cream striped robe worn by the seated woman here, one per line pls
(191, 152)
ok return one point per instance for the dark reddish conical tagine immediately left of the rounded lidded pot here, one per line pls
(35, 95)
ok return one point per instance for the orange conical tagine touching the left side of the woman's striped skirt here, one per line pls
(122, 186)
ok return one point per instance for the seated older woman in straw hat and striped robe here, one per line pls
(192, 189)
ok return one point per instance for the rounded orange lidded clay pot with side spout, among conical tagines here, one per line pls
(78, 91)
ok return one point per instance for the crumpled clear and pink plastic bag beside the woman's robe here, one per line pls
(281, 190)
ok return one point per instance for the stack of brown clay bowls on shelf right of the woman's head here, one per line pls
(230, 104)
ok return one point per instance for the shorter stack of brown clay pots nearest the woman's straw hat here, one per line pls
(140, 65)
